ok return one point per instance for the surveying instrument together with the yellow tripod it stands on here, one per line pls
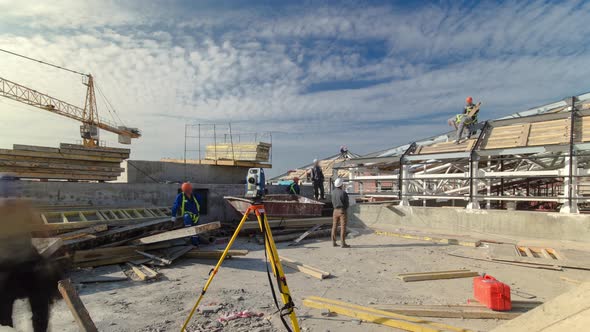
(255, 190)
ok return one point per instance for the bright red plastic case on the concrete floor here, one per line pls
(492, 293)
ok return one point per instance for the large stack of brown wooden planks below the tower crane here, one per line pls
(68, 162)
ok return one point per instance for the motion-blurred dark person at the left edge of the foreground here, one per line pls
(24, 273)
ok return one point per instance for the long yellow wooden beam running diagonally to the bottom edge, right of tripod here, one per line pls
(407, 323)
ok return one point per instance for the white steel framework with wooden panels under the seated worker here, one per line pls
(537, 159)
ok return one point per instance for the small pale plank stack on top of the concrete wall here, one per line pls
(258, 151)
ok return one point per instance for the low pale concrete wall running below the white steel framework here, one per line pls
(538, 225)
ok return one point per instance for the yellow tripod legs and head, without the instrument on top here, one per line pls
(271, 253)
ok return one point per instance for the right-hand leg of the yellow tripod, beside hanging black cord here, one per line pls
(277, 268)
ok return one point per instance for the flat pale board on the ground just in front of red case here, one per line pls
(463, 311)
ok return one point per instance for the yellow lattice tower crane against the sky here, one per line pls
(88, 115)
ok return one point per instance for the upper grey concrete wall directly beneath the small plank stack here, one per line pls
(143, 171)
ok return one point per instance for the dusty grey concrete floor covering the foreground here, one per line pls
(364, 274)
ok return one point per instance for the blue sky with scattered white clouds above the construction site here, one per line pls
(318, 75)
